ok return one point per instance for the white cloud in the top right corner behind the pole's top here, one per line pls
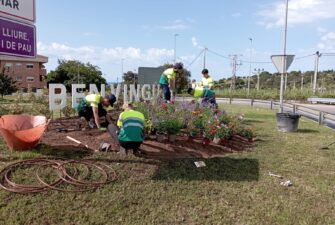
(300, 12)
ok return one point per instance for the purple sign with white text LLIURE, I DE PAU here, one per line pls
(17, 39)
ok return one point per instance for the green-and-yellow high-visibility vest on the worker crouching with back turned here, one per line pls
(131, 125)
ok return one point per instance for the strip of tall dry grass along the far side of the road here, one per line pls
(273, 94)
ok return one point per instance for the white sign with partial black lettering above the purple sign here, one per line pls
(23, 10)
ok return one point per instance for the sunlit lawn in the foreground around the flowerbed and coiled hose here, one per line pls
(235, 189)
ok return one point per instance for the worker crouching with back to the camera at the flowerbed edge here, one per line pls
(131, 124)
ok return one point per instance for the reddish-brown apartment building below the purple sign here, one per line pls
(29, 73)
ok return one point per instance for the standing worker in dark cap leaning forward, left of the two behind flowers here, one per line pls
(168, 80)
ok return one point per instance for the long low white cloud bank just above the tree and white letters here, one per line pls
(108, 59)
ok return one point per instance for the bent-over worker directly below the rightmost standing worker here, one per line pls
(207, 95)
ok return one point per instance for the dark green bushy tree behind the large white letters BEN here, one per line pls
(67, 74)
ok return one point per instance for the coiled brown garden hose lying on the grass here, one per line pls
(65, 177)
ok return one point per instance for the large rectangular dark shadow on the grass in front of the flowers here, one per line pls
(217, 169)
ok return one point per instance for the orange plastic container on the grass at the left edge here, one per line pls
(22, 132)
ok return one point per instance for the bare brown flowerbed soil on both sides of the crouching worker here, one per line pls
(181, 148)
